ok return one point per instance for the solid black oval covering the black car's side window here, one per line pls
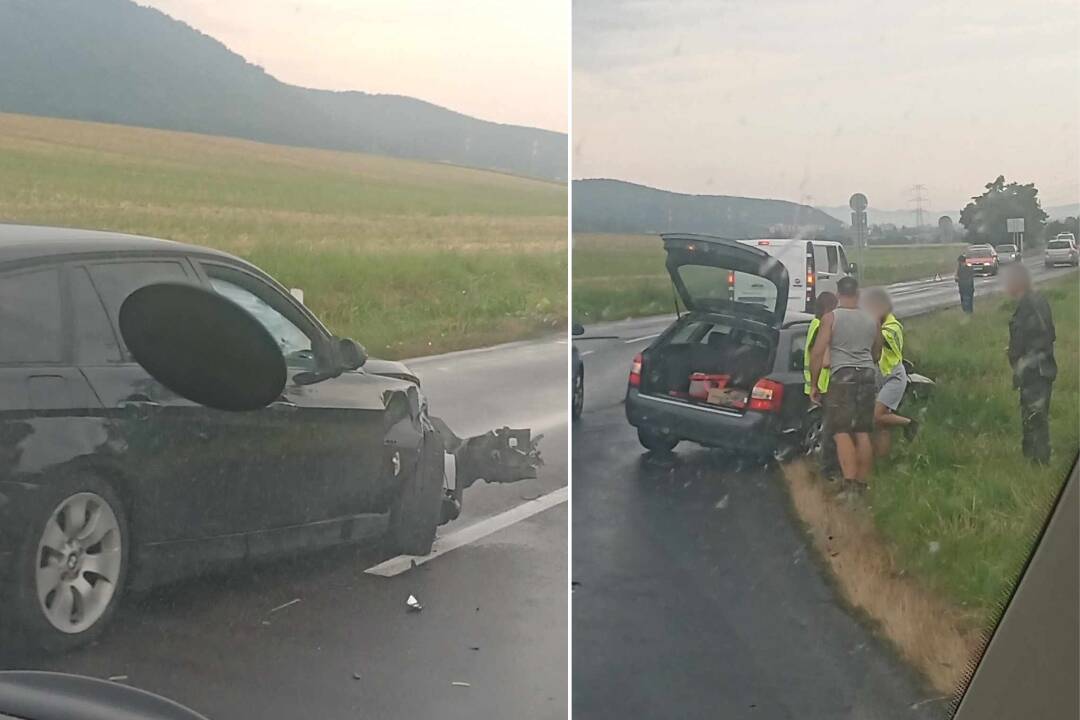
(202, 347)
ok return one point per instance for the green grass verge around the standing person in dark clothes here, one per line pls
(961, 507)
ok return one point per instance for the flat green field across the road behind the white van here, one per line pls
(617, 277)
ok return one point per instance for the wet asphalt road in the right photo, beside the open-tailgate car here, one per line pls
(696, 594)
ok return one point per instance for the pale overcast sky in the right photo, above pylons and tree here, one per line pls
(788, 99)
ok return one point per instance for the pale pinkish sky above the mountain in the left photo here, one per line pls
(495, 60)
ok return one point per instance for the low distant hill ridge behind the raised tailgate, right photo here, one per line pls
(616, 207)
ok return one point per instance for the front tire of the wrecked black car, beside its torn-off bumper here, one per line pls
(415, 515)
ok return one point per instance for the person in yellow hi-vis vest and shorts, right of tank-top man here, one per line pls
(894, 382)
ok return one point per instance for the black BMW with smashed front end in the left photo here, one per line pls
(110, 480)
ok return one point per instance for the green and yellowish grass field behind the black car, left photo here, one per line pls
(407, 257)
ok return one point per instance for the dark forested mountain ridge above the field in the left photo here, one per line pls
(113, 61)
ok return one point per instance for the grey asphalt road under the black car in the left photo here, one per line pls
(495, 612)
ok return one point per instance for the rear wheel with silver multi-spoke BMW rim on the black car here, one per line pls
(73, 565)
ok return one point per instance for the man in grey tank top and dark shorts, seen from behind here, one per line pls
(849, 343)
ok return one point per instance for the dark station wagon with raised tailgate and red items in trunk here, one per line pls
(728, 373)
